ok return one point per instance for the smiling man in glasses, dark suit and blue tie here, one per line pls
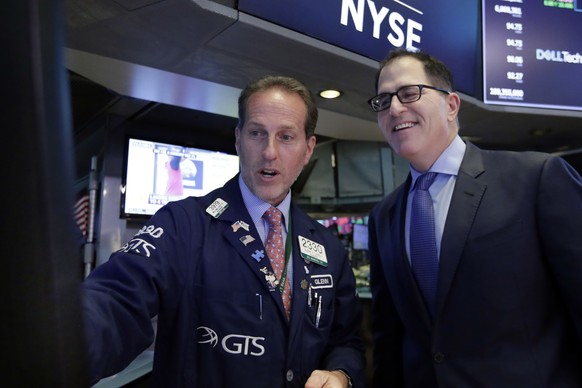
(499, 303)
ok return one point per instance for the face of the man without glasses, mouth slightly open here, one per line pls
(272, 144)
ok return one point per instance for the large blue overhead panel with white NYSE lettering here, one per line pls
(448, 29)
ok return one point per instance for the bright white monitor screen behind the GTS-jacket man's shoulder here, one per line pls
(157, 173)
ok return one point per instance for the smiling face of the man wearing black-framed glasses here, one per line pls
(419, 131)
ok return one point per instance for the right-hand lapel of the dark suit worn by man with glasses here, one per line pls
(465, 202)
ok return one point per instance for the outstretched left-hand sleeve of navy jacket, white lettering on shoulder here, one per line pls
(122, 295)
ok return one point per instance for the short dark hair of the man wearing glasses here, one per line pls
(436, 70)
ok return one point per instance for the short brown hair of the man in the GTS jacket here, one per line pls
(288, 84)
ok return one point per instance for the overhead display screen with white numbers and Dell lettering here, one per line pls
(532, 53)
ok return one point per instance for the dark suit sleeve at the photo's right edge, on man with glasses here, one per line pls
(559, 204)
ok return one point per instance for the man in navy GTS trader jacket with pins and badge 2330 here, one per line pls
(201, 267)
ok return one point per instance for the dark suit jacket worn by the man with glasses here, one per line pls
(509, 298)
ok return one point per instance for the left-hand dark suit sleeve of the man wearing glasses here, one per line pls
(387, 328)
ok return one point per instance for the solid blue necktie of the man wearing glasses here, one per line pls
(423, 251)
